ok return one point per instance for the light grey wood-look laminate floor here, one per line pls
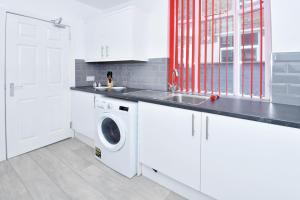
(68, 170)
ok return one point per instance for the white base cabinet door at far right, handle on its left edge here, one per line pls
(249, 160)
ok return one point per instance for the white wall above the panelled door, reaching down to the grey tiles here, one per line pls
(73, 13)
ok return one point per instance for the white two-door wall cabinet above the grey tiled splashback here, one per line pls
(116, 36)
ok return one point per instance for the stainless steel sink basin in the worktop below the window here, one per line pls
(186, 99)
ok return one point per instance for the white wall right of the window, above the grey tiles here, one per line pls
(285, 26)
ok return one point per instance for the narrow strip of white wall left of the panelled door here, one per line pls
(2, 108)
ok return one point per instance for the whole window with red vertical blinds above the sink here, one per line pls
(218, 47)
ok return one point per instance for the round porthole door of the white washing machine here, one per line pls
(111, 132)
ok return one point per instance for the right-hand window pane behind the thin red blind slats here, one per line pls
(252, 69)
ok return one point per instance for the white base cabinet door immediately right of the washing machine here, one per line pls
(169, 144)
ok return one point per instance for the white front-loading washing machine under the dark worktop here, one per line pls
(116, 137)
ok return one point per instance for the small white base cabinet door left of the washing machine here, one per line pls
(83, 116)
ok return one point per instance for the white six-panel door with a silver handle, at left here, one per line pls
(36, 84)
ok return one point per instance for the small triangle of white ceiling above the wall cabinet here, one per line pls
(103, 4)
